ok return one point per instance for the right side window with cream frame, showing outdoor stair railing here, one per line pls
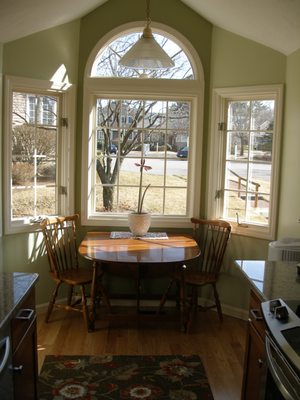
(248, 135)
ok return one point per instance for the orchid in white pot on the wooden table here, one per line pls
(139, 221)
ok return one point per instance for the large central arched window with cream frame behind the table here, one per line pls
(158, 119)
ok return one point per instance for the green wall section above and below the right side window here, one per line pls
(237, 61)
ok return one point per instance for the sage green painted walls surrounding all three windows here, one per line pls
(228, 60)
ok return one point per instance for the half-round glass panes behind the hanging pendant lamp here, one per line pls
(106, 63)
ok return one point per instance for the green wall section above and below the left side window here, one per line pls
(37, 56)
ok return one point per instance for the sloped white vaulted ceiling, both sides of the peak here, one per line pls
(274, 23)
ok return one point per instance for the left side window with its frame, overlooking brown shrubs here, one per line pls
(36, 155)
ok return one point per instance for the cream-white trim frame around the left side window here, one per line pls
(67, 151)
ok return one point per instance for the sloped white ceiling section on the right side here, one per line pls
(274, 23)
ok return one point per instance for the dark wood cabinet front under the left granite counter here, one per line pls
(24, 349)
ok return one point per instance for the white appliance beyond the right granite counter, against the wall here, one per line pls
(286, 249)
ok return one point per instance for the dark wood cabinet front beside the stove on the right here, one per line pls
(254, 364)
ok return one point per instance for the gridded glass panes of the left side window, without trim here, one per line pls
(34, 155)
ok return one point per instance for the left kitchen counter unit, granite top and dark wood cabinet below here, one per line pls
(18, 323)
